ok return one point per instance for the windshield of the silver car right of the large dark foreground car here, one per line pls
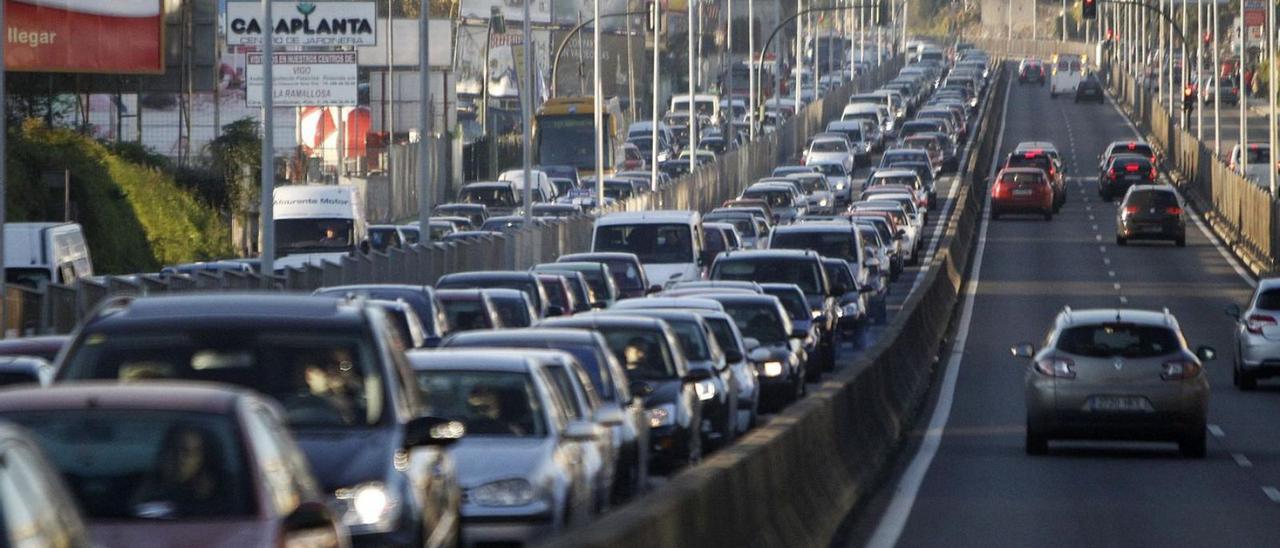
(487, 403)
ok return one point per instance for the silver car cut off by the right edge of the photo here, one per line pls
(1258, 336)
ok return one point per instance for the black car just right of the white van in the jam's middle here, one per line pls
(799, 267)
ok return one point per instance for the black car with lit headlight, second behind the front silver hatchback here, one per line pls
(651, 355)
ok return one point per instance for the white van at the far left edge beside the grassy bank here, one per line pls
(38, 254)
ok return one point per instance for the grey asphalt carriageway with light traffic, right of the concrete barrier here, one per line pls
(966, 479)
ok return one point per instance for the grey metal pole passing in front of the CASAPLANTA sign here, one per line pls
(267, 209)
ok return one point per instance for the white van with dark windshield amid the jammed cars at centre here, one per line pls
(670, 244)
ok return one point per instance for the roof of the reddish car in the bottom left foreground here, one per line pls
(113, 395)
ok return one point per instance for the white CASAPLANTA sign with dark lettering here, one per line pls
(305, 24)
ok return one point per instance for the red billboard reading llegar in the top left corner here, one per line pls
(85, 36)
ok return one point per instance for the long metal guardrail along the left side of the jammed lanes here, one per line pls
(57, 309)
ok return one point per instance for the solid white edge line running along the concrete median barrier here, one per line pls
(899, 510)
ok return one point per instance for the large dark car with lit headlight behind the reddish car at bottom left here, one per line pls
(348, 394)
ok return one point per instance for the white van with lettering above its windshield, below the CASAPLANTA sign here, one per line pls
(318, 223)
